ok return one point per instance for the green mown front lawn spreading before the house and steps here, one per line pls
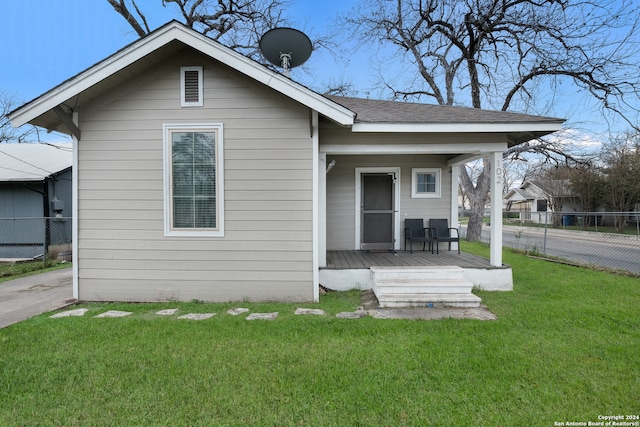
(565, 347)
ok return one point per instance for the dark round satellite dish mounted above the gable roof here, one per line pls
(286, 47)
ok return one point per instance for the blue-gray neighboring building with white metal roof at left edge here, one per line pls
(35, 183)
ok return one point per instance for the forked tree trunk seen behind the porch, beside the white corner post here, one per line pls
(478, 196)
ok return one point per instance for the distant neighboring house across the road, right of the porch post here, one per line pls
(535, 200)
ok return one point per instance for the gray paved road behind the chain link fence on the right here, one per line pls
(622, 252)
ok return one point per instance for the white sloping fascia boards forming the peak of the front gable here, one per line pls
(149, 44)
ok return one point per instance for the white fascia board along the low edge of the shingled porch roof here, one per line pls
(456, 127)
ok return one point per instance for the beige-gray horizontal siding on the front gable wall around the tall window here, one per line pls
(266, 252)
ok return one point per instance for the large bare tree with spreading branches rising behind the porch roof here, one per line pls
(499, 52)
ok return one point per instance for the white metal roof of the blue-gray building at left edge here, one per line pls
(33, 162)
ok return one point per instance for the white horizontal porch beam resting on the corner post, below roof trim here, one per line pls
(351, 149)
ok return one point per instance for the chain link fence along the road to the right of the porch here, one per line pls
(605, 239)
